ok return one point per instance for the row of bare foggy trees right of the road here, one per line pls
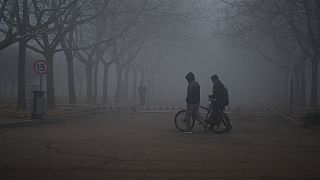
(285, 33)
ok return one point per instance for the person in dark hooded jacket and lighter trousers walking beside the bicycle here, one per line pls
(193, 100)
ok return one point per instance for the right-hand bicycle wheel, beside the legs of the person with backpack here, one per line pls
(219, 123)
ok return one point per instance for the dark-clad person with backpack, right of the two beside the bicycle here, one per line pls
(220, 94)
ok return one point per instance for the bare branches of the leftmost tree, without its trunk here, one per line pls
(18, 23)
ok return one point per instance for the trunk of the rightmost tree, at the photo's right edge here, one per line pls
(314, 83)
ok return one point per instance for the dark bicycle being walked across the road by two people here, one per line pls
(219, 122)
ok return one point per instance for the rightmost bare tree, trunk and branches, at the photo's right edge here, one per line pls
(304, 19)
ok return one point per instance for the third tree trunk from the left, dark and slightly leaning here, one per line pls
(71, 87)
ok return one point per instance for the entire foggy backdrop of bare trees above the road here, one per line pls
(98, 51)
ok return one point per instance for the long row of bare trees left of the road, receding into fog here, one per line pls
(90, 31)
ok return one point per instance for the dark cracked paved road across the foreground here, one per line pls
(147, 146)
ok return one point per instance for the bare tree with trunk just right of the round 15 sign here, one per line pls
(78, 12)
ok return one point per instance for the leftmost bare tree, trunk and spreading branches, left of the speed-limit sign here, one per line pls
(24, 20)
